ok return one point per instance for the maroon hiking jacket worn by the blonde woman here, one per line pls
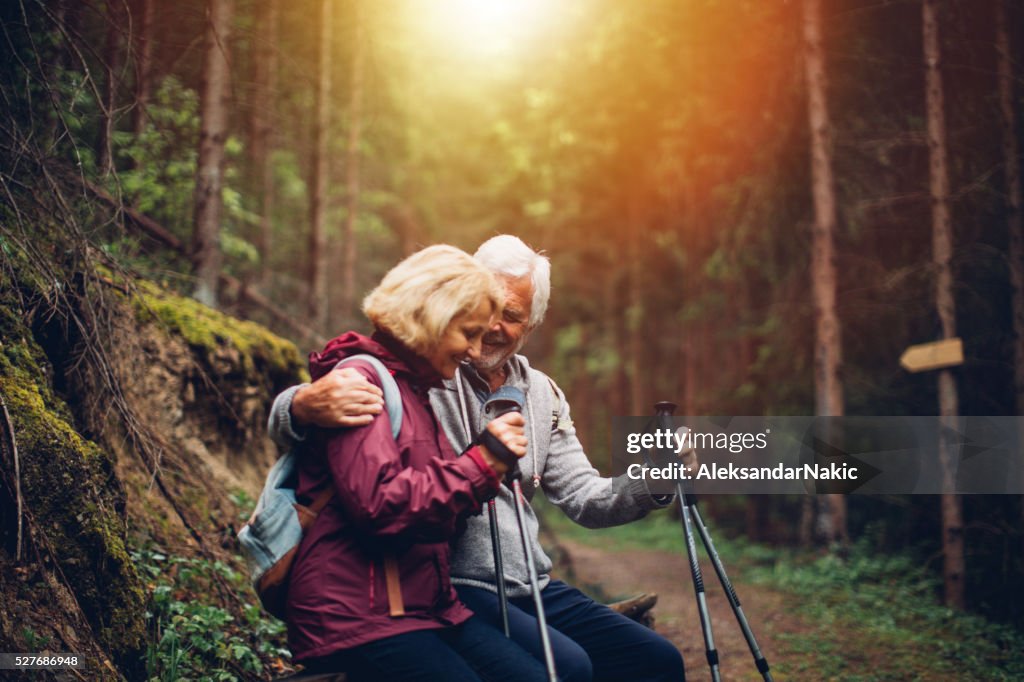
(401, 499)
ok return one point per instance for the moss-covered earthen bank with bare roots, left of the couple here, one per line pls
(145, 443)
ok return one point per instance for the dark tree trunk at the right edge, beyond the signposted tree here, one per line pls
(1015, 220)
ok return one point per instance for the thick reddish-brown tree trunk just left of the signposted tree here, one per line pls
(828, 342)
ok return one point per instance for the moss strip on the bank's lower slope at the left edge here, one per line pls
(69, 489)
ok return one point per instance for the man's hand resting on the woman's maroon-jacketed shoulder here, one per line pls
(342, 398)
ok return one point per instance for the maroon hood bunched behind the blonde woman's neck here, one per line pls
(398, 358)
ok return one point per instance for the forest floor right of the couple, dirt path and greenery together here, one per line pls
(816, 618)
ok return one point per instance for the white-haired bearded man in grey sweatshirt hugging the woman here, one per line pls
(590, 642)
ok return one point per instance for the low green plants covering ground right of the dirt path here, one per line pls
(890, 605)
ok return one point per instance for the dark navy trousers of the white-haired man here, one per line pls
(589, 641)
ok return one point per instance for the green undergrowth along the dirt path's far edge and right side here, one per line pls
(868, 617)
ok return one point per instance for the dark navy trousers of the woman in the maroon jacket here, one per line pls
(474, 652)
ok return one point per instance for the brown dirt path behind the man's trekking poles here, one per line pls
(627, 574)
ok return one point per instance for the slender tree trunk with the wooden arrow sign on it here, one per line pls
(953, 511)
